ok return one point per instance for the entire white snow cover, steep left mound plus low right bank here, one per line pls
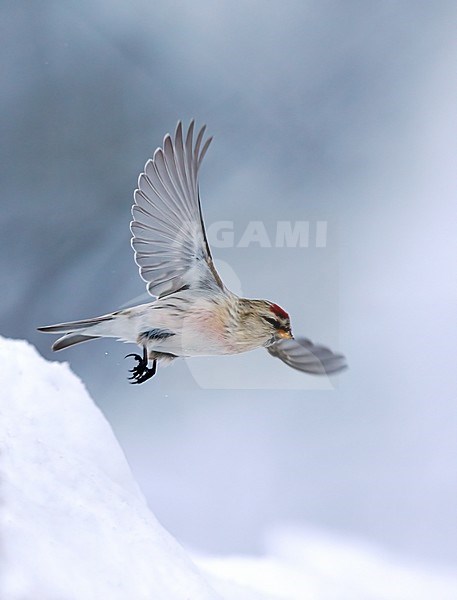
(75, 526)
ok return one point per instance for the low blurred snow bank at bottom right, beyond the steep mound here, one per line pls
(308, 564)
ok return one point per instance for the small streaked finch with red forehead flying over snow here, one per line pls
(192, 312)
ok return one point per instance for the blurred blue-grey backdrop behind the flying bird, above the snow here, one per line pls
(341, 112)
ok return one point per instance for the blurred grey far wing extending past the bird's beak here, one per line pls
(303, 355)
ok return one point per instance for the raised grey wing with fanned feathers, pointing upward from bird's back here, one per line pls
(169, 239)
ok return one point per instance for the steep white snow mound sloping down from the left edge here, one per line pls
(73, 523)
